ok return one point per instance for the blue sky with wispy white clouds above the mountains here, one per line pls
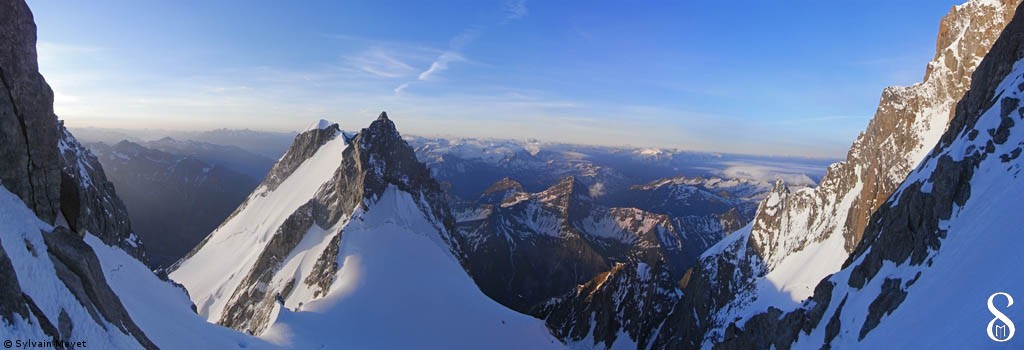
(793, 78)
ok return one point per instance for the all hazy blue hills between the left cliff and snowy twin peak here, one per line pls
(180, 191)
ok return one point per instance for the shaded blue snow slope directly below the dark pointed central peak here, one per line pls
(397, 289)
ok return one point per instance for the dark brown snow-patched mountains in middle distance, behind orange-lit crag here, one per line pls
(525, 249)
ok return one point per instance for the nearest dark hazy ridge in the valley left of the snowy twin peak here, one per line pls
(174, 200)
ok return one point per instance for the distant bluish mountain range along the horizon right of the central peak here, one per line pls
(470, 166)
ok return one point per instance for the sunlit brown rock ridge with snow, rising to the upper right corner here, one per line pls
(736, 280)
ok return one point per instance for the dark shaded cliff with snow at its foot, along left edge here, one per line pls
(54, 195)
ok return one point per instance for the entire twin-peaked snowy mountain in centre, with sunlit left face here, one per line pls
(322, 234)
